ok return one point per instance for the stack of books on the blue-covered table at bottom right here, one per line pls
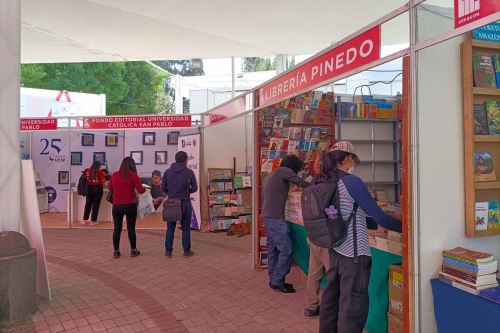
(469, 270)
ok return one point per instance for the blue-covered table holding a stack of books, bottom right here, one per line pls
(466, 294)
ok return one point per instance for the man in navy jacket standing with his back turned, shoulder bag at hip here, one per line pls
(178, 183)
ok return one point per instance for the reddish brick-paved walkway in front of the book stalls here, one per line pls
(215, 291)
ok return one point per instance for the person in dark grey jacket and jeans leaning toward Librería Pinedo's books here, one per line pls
(279, 244)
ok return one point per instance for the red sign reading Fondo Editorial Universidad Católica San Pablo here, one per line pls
(124, 122)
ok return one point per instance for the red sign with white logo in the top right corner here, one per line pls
(467, 11)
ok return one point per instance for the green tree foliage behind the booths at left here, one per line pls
(130, 87)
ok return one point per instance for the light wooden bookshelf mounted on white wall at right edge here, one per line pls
(475, 96)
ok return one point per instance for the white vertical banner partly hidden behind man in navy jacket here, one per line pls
(191, 145)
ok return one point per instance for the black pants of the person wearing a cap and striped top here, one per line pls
(344, 305)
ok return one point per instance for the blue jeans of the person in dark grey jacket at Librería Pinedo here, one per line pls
(279, 250)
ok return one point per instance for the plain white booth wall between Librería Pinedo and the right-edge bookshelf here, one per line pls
(441, 167)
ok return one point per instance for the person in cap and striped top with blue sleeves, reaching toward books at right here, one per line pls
(344, 304)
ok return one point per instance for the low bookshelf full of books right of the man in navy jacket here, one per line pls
(230, 198)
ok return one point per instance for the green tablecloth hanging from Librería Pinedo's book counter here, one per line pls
(378, 289)
